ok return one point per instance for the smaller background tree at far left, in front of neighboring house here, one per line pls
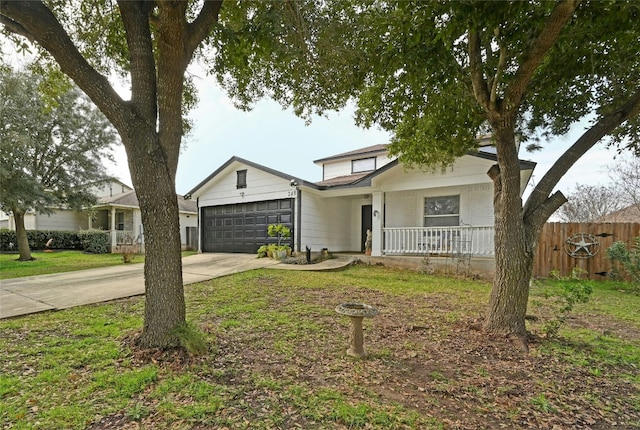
(53, 144)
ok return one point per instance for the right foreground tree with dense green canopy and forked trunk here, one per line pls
(439, 74)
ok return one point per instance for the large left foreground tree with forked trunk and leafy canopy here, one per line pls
(150, 44)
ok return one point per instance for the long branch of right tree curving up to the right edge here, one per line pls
(604, 126)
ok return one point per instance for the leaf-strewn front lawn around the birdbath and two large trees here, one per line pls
(276, 360)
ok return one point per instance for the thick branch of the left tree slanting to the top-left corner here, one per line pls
(43, 27)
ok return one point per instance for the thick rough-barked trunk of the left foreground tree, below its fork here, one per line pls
(164, 292)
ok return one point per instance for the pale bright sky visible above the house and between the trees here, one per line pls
(277, 139)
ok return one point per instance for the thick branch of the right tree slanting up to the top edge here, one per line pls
(541, 45)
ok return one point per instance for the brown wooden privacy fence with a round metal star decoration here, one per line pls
(564, 246)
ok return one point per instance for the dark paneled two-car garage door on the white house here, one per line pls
(243, 227)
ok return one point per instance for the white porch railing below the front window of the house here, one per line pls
(476, 240)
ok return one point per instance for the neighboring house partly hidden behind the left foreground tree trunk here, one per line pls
(117, 211)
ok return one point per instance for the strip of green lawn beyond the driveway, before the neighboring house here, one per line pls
(59, 261)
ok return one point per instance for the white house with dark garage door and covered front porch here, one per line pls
(409, 211)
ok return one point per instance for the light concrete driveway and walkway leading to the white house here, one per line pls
(22, 296)
